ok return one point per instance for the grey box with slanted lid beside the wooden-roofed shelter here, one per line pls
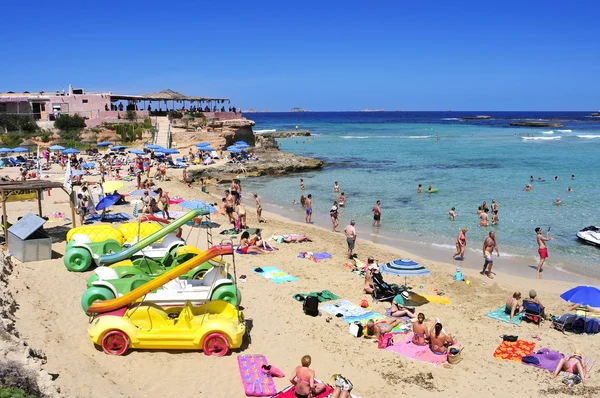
(27, 242)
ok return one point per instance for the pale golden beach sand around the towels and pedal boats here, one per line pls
(50, 318)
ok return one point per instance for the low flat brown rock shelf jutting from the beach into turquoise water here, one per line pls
(270, 163)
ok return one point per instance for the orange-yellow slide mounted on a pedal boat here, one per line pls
(100, 307)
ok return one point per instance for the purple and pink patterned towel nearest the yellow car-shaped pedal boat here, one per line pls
(256, 382)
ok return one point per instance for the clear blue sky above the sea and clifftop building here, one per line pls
(319, 55)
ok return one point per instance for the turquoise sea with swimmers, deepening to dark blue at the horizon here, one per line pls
(385, 155)
